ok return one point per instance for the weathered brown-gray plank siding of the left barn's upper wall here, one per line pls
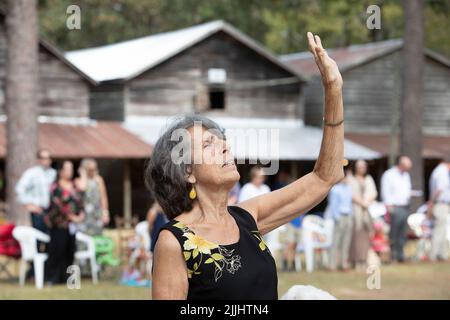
(63, 92)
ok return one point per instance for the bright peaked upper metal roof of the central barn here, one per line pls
(128, 59)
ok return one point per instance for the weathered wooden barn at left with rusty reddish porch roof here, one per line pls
(66, 129)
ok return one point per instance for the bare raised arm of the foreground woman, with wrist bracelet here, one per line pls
(281, 206)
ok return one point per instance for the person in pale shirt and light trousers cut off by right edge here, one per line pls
(439, 209)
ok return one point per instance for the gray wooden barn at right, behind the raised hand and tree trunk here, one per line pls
(372, 97)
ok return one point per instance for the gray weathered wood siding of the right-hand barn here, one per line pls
(371, 91)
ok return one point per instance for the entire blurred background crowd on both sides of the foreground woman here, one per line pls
(364, 219)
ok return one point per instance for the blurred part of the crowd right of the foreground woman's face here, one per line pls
(365, 220)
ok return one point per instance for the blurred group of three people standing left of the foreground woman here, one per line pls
(61, 204)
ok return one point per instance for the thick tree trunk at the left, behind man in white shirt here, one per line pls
(21, 99)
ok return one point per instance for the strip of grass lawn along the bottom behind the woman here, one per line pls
(408, 281)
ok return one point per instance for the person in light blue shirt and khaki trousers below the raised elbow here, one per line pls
(341, 211)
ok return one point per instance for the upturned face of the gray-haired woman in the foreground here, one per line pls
(213, 163)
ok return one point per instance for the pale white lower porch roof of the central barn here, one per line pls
(292, 139)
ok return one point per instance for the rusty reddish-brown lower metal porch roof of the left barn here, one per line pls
(95, 140)
